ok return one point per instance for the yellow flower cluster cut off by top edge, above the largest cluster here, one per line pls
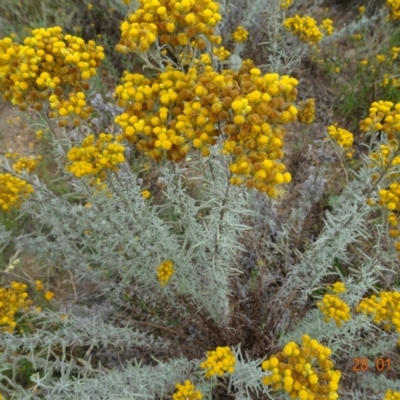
(173, 22)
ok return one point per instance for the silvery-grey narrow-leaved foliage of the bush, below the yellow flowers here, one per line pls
(117, 243)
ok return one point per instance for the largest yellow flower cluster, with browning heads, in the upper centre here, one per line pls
(178, 111)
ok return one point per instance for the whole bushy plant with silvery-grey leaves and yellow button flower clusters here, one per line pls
(175, 230)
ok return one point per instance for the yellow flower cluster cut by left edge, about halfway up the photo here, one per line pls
(13, 191)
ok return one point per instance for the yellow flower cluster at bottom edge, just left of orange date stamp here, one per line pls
(305, 372)
